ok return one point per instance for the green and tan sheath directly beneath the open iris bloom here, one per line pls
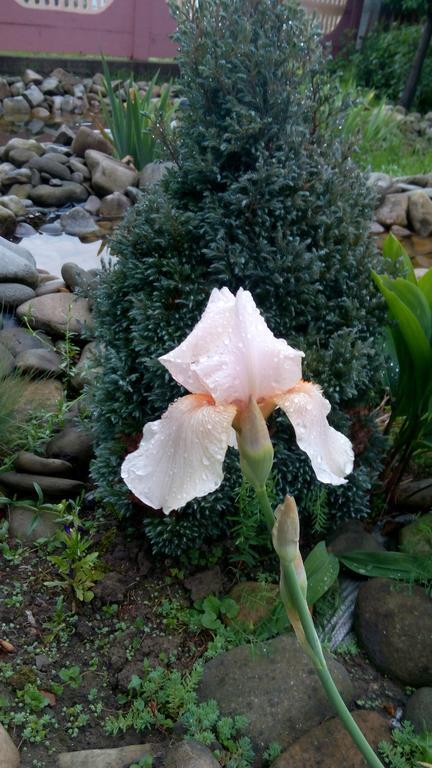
(254, 444)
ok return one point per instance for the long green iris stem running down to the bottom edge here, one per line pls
(314, 648)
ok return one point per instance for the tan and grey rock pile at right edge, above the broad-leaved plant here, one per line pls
(404, 207)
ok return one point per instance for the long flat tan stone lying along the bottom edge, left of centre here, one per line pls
(122, 757)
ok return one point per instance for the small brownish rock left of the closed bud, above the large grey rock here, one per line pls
(256, 602)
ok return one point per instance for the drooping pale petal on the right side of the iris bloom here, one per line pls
(330, 452)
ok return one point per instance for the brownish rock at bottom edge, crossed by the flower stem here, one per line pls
(330, 746)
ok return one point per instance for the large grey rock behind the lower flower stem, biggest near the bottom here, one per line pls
(275, 686)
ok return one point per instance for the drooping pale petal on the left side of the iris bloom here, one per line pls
(180, 457)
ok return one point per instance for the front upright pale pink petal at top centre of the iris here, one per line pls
(251, 362)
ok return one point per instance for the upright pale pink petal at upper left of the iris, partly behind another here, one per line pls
(209, 333)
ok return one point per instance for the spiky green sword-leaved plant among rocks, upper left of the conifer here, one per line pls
(136, 125)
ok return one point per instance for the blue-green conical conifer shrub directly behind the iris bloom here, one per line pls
(265, 196)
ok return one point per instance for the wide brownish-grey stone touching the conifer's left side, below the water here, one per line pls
(57, 313)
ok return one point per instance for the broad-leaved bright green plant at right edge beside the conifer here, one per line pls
(408, 346)
